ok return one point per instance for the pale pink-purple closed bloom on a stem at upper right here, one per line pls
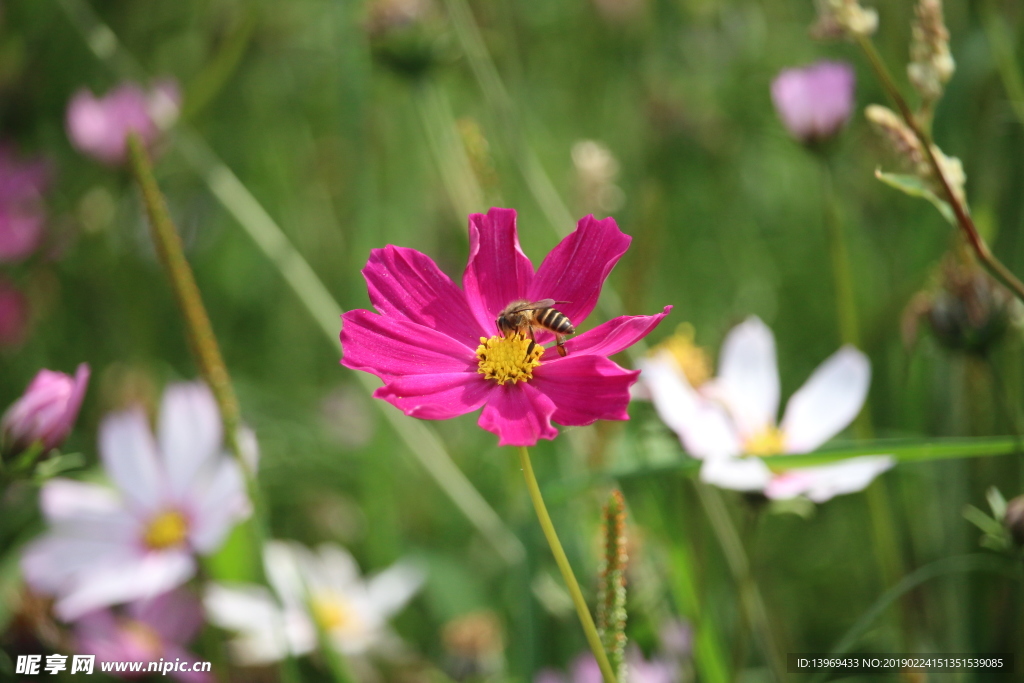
(815, 103)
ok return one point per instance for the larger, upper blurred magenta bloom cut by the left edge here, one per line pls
(22, 212)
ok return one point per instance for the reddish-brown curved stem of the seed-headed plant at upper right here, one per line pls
(978, 244)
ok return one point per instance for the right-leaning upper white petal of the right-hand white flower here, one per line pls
(829, 401)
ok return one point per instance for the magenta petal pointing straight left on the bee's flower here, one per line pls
(389, 348)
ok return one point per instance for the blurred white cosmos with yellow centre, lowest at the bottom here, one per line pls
(322, 588)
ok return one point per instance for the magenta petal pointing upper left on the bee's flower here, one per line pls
(405, 283)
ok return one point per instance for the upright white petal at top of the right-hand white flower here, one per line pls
(748, 376)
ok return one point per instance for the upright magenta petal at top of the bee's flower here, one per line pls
(498, 272)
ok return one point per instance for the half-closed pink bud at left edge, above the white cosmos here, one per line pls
(47, 412)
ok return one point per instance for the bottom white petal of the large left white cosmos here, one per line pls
(143, 577)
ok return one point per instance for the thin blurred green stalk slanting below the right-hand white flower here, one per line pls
(740, 567)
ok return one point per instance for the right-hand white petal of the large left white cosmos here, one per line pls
(219, 503)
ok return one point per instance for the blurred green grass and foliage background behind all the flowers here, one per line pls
(320, 111)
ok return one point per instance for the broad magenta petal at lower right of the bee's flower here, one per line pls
(586, 389)
